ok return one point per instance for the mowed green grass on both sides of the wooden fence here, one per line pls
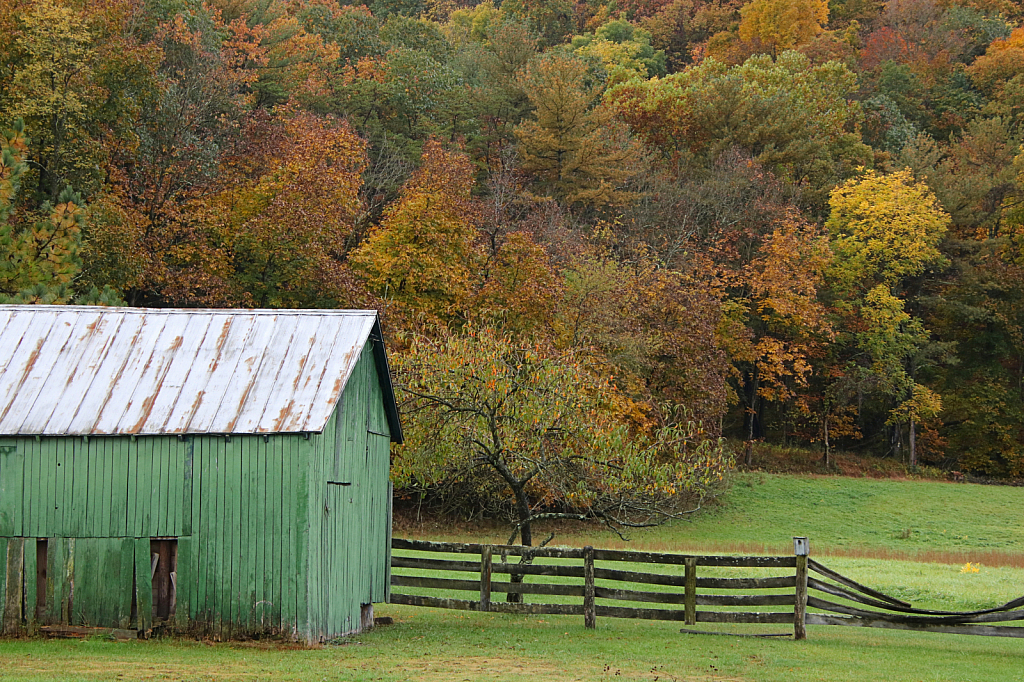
(857, 526)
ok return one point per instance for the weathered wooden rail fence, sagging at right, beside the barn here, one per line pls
(861, 606)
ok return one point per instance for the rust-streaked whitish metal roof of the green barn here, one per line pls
(93, 371)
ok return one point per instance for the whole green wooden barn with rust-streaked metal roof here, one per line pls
(224, 473)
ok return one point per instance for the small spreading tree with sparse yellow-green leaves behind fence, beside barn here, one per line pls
(530, 434)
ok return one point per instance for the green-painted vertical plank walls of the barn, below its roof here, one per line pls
(280, 534)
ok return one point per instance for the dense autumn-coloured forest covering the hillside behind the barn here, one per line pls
(790, 222)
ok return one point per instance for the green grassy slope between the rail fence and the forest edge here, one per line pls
(914, 520)
